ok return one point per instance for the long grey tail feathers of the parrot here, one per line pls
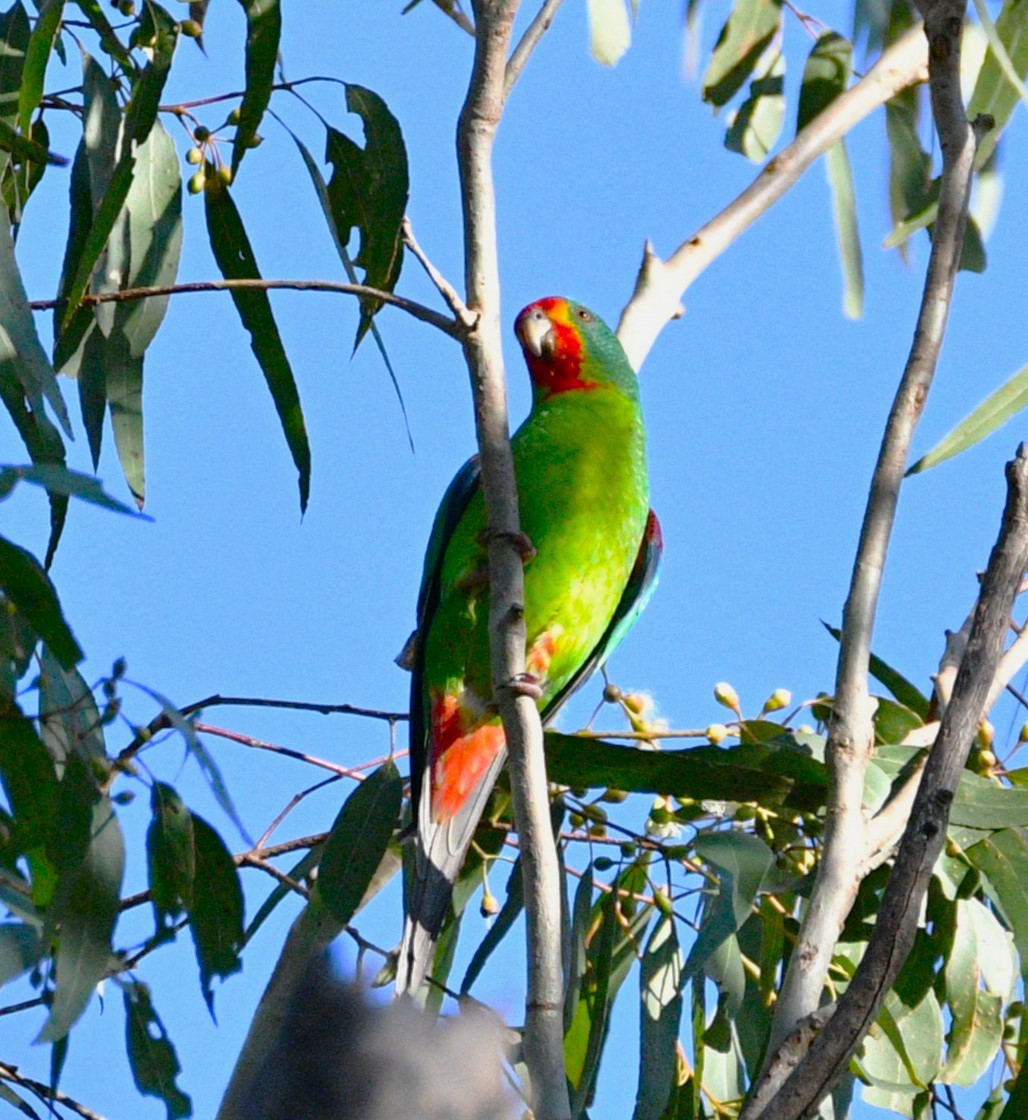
(441, 847)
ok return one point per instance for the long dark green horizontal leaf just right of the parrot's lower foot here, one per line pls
(770, 773)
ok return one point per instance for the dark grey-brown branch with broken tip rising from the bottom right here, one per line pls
(896, 926)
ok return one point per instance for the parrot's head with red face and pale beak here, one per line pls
(569, 348)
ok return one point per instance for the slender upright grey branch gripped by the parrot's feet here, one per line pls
(476, 132)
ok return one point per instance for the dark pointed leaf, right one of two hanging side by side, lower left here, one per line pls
(217, 914)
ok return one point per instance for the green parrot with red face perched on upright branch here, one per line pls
(592, 547)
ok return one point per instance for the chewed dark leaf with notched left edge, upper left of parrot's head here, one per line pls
(368, 191)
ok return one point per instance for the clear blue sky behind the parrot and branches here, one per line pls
(764, 405)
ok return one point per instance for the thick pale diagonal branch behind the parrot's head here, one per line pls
(660, 285)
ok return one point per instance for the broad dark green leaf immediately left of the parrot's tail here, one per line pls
(359, 842)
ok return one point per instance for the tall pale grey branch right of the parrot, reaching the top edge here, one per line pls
(851, 729)
